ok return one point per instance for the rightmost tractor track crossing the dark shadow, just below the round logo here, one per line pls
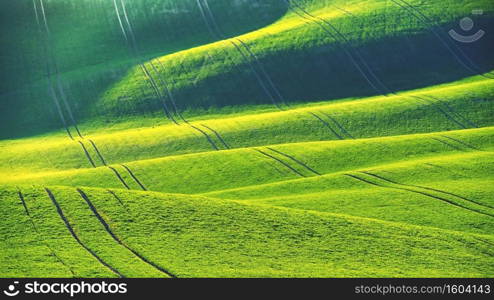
(431, 25)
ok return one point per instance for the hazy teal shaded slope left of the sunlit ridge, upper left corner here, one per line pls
(86, 42)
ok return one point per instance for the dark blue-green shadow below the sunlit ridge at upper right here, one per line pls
(326, 73)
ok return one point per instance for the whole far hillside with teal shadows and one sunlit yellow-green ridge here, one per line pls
(114, 69)
